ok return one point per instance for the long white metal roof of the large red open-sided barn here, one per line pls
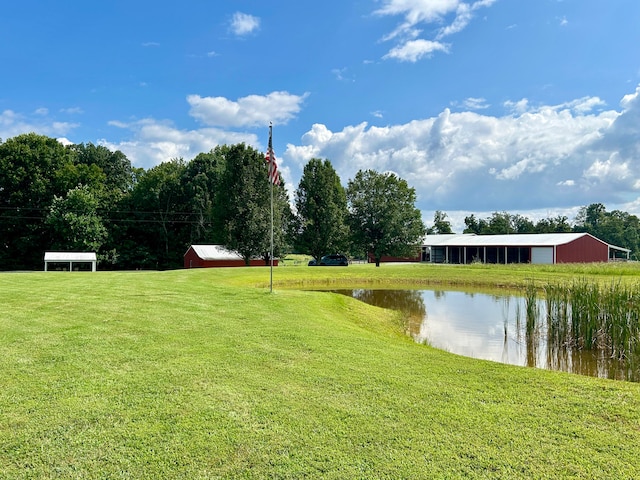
(513, 240)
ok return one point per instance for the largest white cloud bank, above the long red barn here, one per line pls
(550, 156)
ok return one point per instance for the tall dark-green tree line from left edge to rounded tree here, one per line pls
(85, 197)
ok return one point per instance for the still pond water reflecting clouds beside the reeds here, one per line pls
(490, 327)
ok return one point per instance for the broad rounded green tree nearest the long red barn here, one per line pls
(383, 217)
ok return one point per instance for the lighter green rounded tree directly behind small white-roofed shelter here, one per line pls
(75, 223)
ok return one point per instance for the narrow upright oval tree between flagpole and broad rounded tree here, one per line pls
(321, 203)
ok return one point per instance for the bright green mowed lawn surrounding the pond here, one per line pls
(200, 374)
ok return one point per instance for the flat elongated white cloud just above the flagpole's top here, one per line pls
(250, 111)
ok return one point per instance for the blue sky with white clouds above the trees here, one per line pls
(524, 106)
